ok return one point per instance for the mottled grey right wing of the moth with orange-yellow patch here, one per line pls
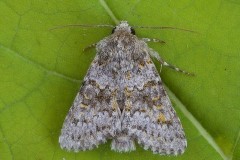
(149, 116)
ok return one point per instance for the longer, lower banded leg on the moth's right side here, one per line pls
(164, 63)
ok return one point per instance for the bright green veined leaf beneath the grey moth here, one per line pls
(41, 72)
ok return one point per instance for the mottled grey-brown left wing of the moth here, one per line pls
(93, 116)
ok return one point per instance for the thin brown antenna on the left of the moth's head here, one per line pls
(83, 26)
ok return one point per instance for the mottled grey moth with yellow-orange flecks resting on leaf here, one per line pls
(123, 99)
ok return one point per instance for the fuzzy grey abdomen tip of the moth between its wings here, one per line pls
(122, 144)
